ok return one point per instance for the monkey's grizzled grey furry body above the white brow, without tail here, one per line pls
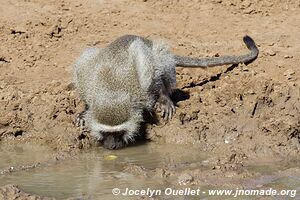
(123, 78)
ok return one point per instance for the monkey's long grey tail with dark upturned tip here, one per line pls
(223, 60)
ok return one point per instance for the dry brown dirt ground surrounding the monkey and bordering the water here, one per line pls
(236, 114)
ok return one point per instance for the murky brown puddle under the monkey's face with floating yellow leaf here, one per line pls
(91, 174)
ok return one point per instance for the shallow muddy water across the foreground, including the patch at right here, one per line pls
(93, 174)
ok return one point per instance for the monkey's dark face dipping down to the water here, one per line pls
(113, 140)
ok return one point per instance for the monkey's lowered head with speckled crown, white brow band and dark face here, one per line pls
(114, 118)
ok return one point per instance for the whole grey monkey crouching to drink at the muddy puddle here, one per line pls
(130, 75)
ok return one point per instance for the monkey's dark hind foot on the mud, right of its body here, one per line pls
(166, 107)
